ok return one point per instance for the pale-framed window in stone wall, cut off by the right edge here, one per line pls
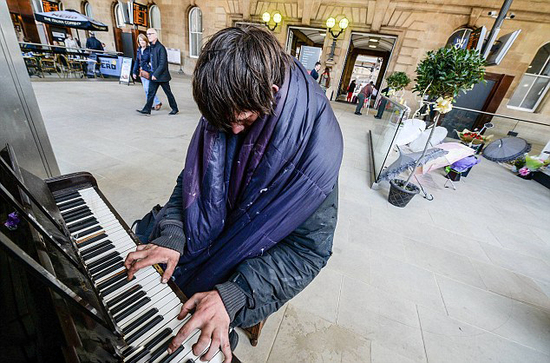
(534, 84)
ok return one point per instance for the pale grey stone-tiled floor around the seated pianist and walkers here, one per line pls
(463, 278)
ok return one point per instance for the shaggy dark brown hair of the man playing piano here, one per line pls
(235, 73)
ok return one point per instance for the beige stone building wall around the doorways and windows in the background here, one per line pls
(420, 25)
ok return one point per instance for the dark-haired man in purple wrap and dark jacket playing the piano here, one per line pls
(251, 220)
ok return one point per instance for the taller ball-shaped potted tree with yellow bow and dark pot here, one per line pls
(441, 76)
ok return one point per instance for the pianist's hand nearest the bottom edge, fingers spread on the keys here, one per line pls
(212, 319)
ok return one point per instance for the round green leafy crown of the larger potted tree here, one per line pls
(447, 71)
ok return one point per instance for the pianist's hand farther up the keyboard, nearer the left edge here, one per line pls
(148, 255)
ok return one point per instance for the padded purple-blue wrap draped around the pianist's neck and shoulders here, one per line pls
(244, 194)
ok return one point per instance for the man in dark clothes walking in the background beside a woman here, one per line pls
(160, 75)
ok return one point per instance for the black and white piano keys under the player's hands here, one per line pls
(144, 310)
